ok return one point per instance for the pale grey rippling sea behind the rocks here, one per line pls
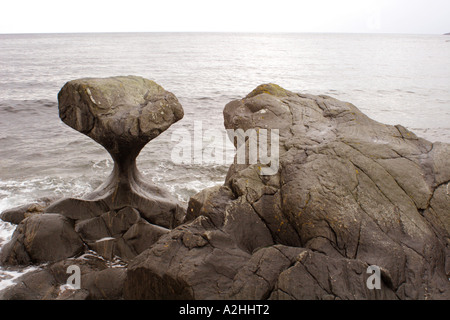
(394, 79)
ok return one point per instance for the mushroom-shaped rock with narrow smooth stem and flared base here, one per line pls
(122, 114)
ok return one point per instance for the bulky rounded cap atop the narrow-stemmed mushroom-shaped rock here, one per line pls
(121, 113)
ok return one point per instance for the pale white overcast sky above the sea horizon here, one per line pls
(342, 16)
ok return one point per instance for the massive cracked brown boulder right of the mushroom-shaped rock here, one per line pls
(350, 193)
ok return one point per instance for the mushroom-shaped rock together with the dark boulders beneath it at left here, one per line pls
(126, 214)
